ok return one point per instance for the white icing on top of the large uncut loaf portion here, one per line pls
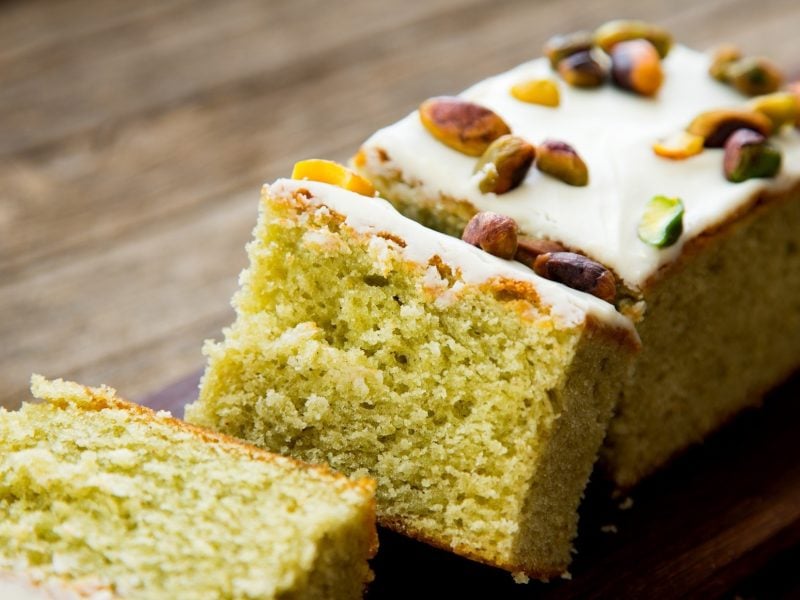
(613, 131)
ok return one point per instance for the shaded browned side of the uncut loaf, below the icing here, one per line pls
(722, 328)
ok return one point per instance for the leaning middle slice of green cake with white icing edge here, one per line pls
(478, 408)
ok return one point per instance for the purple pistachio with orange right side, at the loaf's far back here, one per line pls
(636, 66)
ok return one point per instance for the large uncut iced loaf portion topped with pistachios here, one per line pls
(653, 161)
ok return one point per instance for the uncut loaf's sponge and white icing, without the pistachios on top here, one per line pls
(718, 311)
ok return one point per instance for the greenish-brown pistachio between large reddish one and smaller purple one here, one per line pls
(504, 164)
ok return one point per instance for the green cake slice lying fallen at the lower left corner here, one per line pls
(102, 498)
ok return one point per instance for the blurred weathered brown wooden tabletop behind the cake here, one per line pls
(134, 138)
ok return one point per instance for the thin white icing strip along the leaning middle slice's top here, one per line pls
(372, 215)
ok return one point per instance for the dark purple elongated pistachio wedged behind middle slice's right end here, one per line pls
(578, 272)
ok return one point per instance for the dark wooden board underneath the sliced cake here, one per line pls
(723, 520)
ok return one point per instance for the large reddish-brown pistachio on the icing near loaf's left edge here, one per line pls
(464, 126)
